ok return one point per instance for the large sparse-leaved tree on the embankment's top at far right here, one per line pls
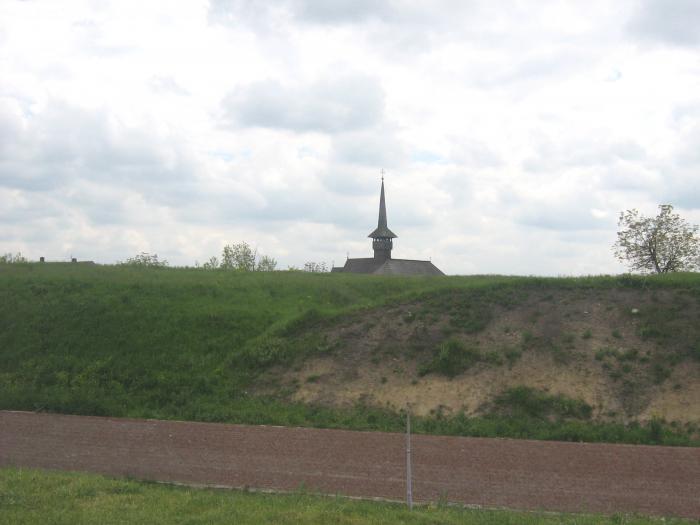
(661, 244)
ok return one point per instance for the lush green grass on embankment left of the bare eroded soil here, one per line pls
(159, 342)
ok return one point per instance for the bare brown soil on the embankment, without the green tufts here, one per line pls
(378, 355)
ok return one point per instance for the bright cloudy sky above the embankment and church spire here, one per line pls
(512, 133)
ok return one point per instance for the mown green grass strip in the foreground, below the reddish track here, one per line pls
(30, 496)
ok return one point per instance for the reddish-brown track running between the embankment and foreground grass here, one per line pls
(518, 474)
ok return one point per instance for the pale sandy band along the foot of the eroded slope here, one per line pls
(382, 385)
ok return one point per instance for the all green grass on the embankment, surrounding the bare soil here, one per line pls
(191, 344)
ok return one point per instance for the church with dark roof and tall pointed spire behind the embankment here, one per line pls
(382, 244)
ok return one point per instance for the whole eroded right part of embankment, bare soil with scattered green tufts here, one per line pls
(627, 354)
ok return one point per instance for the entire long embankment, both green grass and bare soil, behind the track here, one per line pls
(600, 358)
